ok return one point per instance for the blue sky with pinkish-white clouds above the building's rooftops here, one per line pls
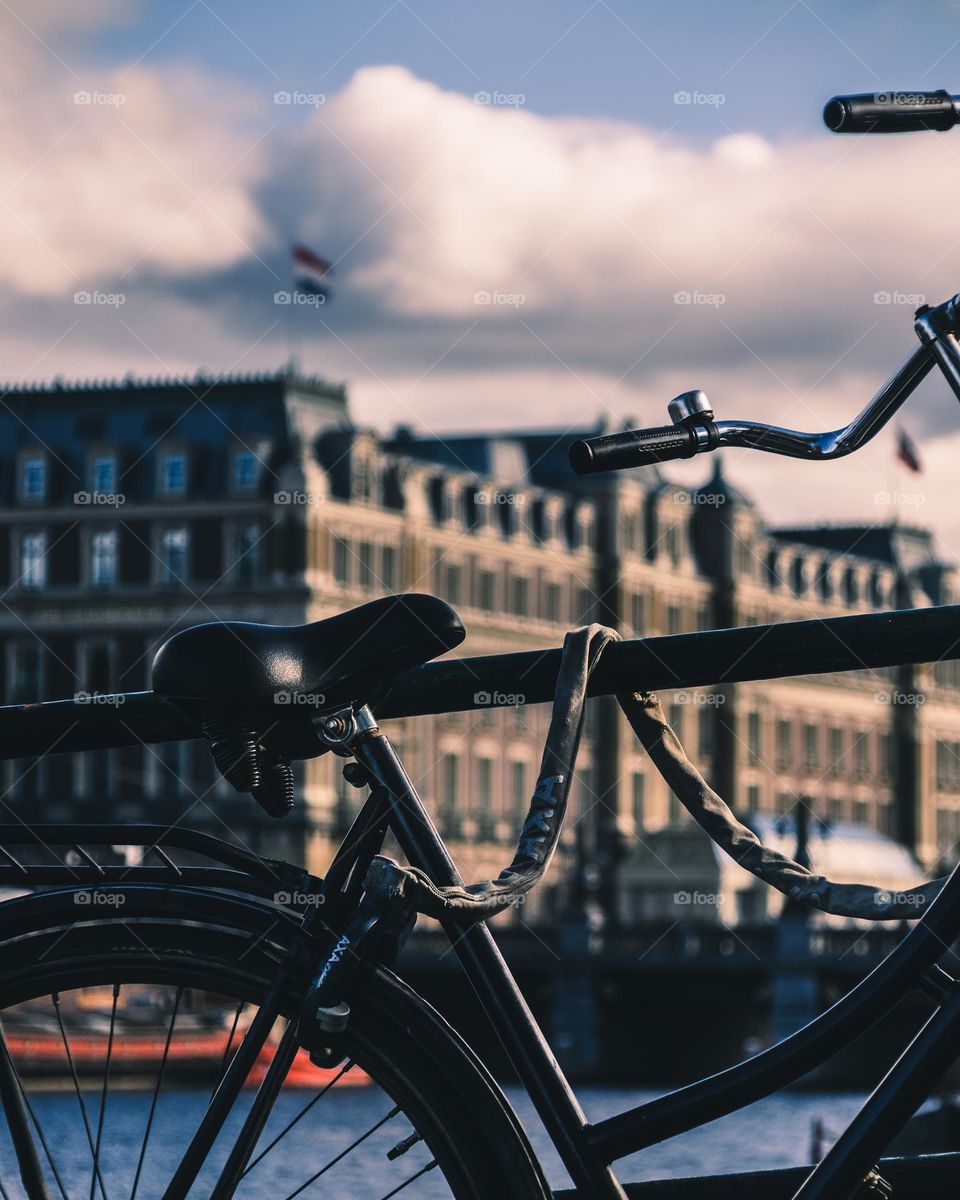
(541, 214)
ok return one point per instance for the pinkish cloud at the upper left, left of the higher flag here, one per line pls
(111, 173)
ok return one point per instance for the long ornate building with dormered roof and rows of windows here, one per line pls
(133, 509)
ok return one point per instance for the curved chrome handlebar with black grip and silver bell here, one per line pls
(695, 430)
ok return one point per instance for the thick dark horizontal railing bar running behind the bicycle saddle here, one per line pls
(681, 661)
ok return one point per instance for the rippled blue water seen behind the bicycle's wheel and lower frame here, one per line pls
(772, 1133)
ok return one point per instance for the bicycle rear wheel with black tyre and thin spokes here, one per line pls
(118, 1031)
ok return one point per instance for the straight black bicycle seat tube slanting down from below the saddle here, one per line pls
(495, 986)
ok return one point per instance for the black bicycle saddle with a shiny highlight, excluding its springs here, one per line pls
(344, 659)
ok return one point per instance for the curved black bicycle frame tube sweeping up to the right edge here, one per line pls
(799, 1054)
